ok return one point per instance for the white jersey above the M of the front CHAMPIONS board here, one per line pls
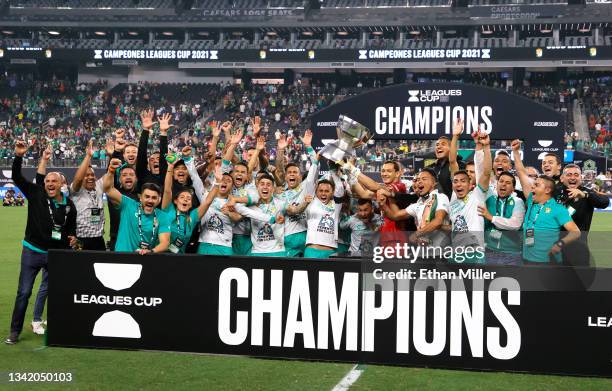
(323, 223)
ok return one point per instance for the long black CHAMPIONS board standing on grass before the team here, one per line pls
(532, 319)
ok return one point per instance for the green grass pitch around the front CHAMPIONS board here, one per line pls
(113, 370)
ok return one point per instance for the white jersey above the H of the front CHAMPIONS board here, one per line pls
(267, 237)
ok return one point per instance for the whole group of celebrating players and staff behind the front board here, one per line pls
(218, 204)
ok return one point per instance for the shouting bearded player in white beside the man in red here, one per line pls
(430, 211)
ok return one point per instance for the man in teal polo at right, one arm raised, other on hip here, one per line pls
(544, 218)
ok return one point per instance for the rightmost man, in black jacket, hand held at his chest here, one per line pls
(580, 203)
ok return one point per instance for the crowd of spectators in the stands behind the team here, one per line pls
(67, 114)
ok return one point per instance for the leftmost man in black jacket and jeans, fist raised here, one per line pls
(51, 224)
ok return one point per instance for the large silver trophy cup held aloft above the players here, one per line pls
(351, 135)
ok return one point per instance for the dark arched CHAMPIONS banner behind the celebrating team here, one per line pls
(426, 111)
